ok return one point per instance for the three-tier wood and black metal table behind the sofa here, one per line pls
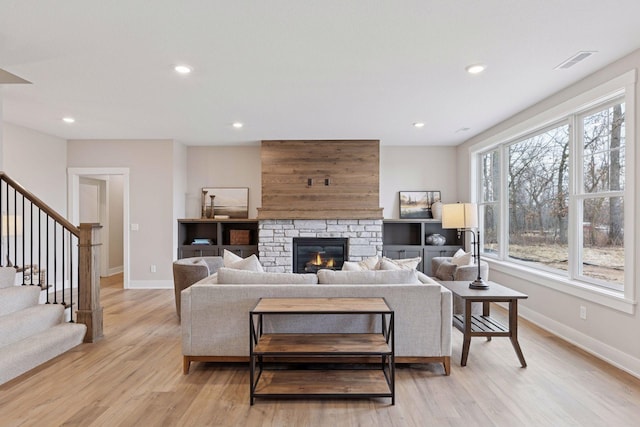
(375, 381)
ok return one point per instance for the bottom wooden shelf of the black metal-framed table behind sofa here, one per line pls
(355, 383)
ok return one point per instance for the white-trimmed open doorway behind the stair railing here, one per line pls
(102, 195)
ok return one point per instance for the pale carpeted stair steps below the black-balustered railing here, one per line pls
(30, 333)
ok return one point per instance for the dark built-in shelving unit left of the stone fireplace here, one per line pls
(216, 235)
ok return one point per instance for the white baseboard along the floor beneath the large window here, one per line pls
(603, 351)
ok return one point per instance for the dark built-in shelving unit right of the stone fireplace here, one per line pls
(402, 238)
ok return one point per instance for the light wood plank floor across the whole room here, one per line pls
(133, 377)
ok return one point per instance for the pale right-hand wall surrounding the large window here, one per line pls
(606, 332)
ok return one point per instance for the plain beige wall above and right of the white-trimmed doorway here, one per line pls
(150, 164)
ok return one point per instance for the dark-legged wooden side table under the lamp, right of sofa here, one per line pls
(484, 325)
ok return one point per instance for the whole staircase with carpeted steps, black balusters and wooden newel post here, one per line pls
(49, 282)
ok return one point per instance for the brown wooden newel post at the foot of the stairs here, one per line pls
(89, 309)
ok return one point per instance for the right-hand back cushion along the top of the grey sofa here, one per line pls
(367, 277)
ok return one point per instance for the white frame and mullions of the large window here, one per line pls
(614, 88)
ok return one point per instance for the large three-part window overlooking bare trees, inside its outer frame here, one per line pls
(561, 190)
